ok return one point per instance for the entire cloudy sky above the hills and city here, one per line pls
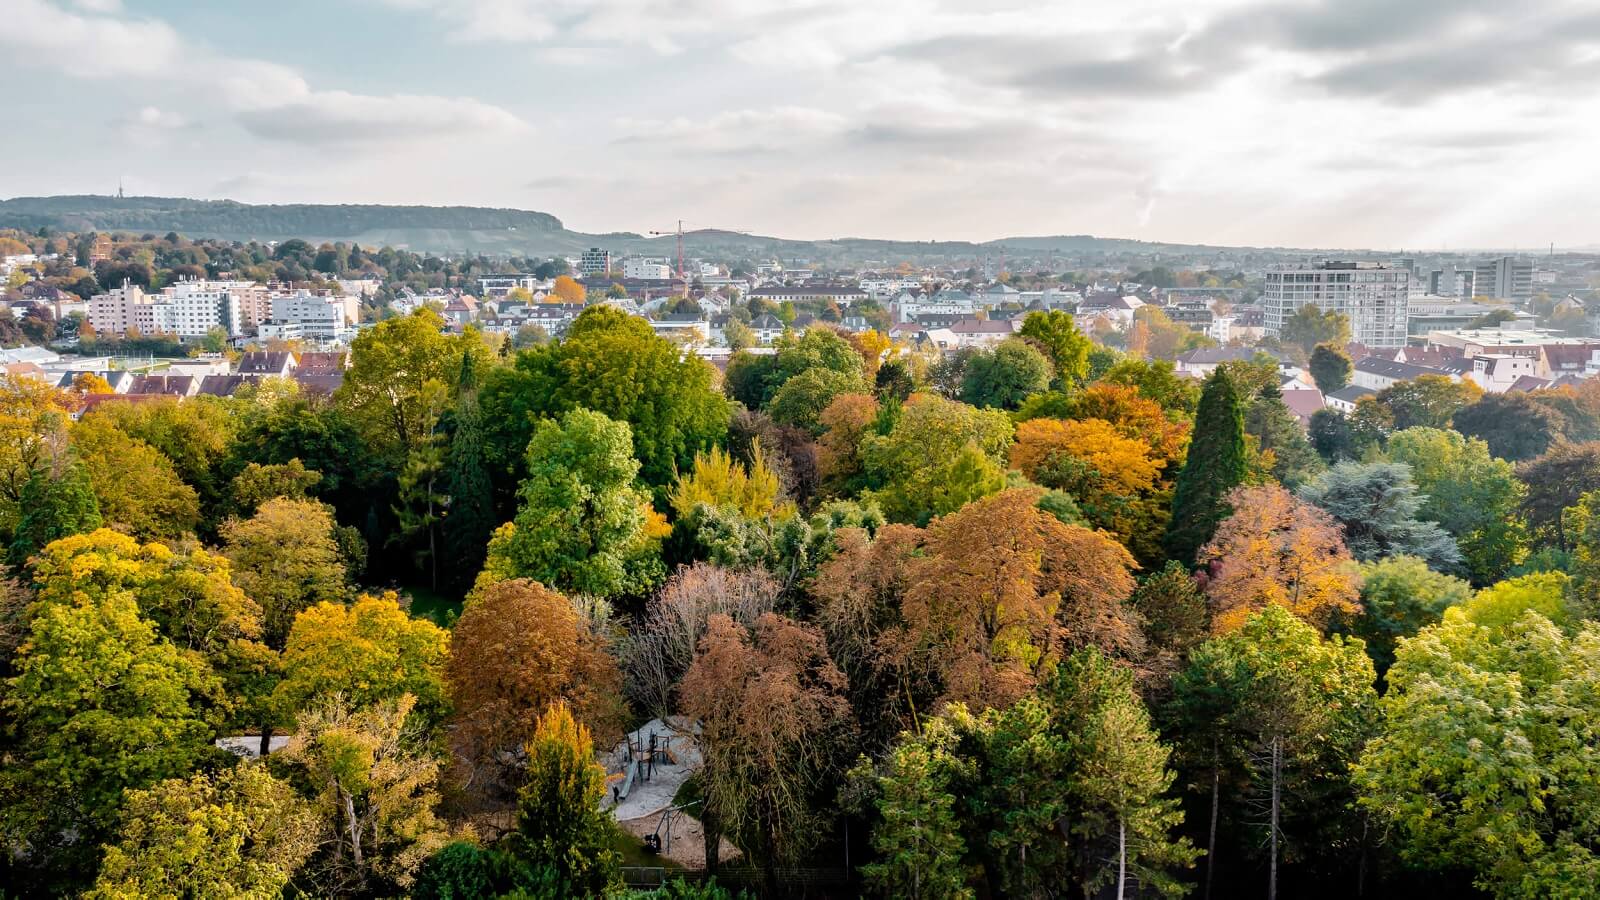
(1334, 124)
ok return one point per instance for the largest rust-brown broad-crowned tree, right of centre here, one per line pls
(1004, 590)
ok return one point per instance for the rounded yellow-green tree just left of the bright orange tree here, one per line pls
(938, 457)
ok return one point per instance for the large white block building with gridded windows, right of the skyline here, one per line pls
(1372, 295)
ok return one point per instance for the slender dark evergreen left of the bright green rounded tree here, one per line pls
(471, 516)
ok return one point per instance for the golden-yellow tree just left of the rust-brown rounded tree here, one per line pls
(366, 654)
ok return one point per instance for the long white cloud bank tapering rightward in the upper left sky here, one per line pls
(270, 100)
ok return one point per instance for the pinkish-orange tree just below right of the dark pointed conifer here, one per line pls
(1279, 550)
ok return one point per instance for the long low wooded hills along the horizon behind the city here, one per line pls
(508, 233)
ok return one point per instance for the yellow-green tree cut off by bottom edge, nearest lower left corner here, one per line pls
(239, 834)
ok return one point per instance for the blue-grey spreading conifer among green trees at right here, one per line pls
(1378, 505)
